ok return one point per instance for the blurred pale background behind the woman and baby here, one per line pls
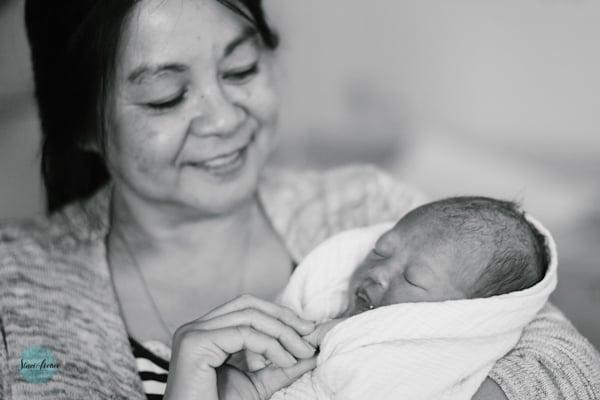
(485, 97)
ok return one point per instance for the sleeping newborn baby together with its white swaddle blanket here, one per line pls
(435, 322)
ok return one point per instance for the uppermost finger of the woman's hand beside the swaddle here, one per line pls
(284, 314)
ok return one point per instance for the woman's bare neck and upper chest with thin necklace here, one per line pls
(189, 267)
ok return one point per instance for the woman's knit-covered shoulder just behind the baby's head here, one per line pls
(306, 207)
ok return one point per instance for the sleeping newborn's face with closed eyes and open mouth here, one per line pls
(412, 262)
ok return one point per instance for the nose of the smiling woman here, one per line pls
(217, 114)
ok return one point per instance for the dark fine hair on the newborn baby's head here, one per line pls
(517, 253)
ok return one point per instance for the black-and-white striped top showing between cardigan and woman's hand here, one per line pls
(153, 370)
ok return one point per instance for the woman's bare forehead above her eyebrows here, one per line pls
(162, 31)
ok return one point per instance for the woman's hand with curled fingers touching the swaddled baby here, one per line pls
(246, 323)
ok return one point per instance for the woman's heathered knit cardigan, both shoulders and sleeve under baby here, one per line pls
(56, 292)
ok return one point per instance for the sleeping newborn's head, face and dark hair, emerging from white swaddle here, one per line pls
(457, 248)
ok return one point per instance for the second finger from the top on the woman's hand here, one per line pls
(263, 323)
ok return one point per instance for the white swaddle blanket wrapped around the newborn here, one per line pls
(413, 351)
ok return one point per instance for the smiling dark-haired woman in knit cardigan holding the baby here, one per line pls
(174, 100)
